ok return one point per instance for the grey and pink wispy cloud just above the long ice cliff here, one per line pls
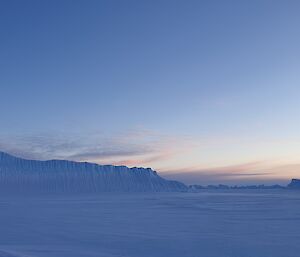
(132, 148)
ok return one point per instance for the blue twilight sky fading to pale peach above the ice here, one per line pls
(205, 92)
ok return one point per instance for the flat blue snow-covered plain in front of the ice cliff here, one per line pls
(209, 224)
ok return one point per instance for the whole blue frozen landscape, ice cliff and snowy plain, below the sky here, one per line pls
(62, 209)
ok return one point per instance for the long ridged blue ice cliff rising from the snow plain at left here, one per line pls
(20, 175)
